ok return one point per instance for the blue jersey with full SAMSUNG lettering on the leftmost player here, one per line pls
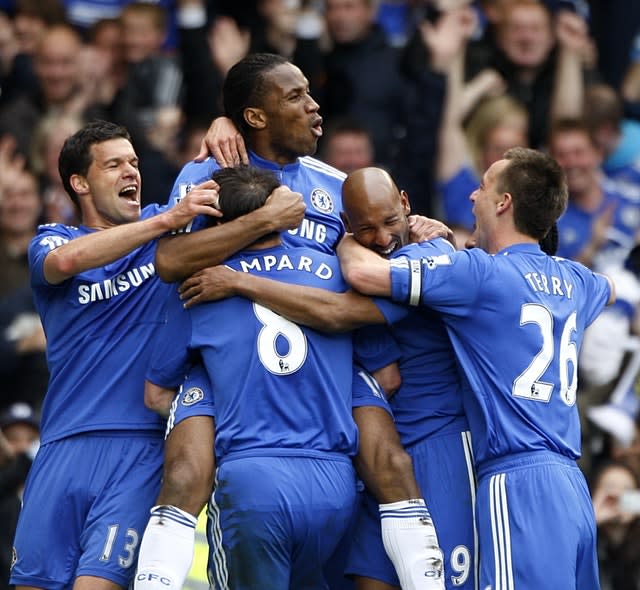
(98, 325)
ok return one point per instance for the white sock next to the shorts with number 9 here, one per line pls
(411, 543)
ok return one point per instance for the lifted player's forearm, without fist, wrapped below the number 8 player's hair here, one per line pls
(182, 255)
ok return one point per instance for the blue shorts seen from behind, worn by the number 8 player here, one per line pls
(274, 522)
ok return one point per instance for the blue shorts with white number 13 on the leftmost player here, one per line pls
(85, 507)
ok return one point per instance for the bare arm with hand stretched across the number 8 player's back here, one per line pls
(323, 310)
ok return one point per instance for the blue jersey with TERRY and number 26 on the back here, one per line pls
(516, 321)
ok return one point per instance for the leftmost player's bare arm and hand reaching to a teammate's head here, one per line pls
(102, 247)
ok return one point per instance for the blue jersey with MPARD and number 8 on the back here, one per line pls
(278, 388)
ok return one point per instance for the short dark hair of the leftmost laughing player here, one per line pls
(75, 155)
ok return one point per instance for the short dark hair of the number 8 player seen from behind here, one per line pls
(243, 189)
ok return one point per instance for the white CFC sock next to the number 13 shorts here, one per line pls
(166, 551)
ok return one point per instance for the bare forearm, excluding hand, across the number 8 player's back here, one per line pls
(323, 310)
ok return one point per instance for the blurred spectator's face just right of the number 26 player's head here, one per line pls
(579, 158)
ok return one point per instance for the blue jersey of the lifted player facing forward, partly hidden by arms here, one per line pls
(319, 184)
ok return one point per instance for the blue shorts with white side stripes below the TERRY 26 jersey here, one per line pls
(536, 524)
